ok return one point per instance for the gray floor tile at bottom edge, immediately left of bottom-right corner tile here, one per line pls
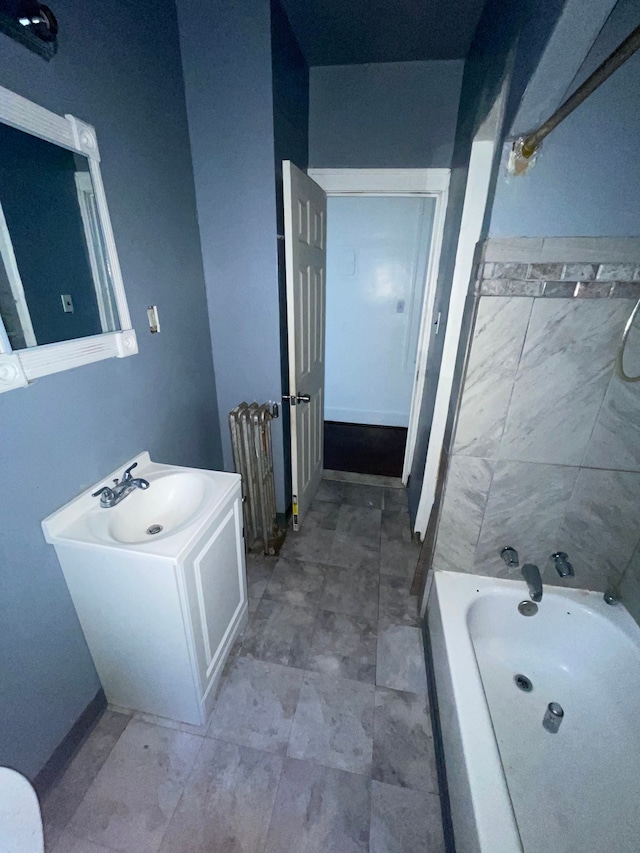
(320, 810)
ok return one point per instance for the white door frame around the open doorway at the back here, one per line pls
(424, 183)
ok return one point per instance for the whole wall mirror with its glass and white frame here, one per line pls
(62, 299)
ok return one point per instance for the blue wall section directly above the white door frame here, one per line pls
(398, 114)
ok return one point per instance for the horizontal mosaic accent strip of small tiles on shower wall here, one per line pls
(577, 280)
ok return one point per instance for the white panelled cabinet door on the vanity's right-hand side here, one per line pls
(216, 590)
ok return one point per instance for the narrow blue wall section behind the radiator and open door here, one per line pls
(226, 53)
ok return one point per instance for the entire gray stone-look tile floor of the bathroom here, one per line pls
(320, 740)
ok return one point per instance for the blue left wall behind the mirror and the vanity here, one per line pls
(66, 431)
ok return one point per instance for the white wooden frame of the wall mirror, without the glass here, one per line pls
(20, 367)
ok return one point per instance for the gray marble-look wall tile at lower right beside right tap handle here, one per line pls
(601, 527)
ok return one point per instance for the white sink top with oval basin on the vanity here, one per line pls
(158, 519)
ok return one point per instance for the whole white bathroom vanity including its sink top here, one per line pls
(160, 613)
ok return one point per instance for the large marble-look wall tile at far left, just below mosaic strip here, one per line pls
(499, 334)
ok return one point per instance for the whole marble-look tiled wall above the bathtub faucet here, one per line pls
(546, 451)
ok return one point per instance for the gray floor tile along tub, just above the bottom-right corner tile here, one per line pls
(402, 741)
